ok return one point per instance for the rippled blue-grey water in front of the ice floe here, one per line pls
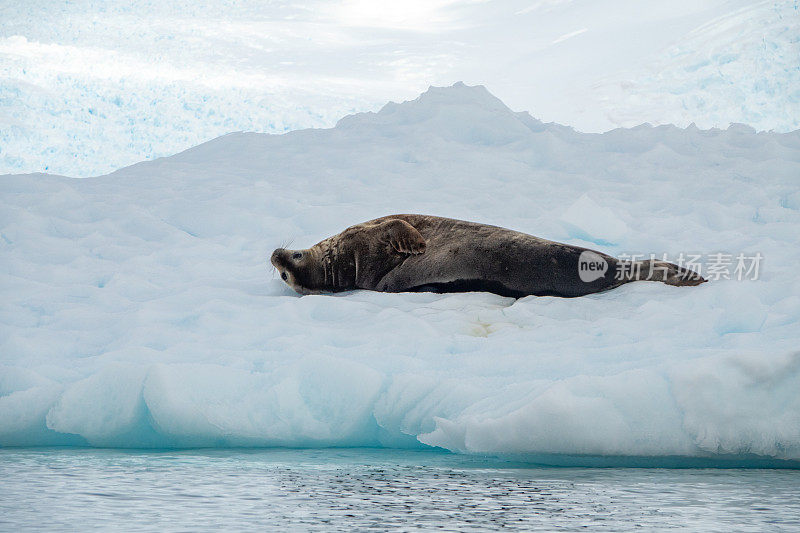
(357, 489)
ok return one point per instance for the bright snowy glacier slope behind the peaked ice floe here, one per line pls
(87, 87)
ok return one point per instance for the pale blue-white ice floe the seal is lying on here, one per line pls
(139, 308)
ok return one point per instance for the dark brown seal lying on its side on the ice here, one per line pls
(414, 253)
